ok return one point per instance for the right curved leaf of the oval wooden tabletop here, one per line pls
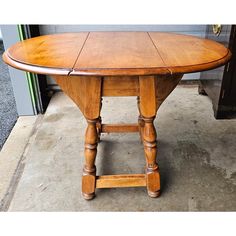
(184, 53)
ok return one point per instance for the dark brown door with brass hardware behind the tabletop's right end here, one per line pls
(220, 84)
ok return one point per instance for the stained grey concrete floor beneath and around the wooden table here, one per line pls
(197, 159)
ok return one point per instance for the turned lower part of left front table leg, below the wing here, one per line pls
(89, 170)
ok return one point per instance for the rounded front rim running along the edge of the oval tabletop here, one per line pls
(116, 71)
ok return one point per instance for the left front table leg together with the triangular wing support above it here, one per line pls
(86, 92)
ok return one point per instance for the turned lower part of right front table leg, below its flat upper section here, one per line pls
(150, 149)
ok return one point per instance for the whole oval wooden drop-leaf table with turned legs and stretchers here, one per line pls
(90, 65)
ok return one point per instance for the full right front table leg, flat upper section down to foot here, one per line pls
(148, 109)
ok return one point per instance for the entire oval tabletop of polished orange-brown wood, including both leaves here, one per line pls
(116, 53)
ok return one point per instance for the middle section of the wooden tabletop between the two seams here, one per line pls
(118, 50)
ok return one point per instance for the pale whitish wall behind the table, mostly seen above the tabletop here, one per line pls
(196, 30)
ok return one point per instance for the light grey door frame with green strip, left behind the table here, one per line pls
(25, 85)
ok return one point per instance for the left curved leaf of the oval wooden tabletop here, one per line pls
(48, 54)
